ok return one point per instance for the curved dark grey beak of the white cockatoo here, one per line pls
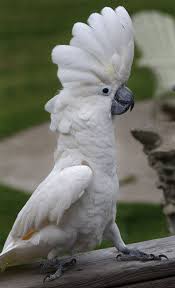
(122, 101)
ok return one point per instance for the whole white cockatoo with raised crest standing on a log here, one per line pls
(74, 208)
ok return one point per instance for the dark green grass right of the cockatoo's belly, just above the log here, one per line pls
(139, 222)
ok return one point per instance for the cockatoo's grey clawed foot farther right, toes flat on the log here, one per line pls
(137, 255)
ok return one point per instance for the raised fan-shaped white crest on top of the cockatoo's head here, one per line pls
(100, 51)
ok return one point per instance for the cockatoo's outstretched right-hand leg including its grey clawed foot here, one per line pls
(128, 254)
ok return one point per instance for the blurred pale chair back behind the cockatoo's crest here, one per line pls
(155, 36)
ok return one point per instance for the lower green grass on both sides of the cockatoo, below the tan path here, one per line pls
(137, 222)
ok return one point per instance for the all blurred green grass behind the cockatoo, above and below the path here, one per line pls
(29, 29)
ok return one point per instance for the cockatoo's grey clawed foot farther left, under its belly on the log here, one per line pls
(59, 268)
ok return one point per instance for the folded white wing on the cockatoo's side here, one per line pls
(52, 198)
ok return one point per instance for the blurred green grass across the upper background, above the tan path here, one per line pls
(29, 30)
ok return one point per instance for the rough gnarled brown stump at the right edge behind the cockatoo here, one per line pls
(159, 146)
